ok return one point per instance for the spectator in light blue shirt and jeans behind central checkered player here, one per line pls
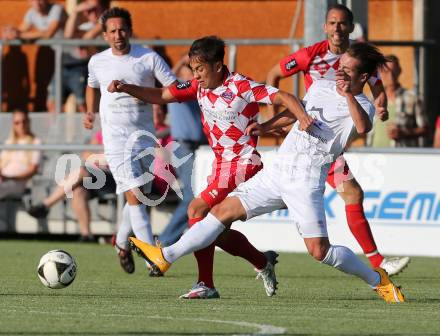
(186, 130)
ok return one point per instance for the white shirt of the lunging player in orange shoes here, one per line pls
(333, 127)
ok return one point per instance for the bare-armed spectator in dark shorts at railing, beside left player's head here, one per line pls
(83, 23)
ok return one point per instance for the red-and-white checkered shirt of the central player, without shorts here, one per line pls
(226, 112)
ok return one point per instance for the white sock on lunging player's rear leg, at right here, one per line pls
(345, 260)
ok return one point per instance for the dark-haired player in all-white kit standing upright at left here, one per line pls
(127, 123)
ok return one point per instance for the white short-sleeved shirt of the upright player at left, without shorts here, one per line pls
(122, 114)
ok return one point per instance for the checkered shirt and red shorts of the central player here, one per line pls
(226, 113)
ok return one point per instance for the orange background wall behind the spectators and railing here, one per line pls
(388, 20)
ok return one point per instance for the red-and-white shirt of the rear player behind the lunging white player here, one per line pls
(316, 62)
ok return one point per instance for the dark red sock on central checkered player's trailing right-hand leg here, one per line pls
(238, 245)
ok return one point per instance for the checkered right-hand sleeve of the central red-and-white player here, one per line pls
(254, 92)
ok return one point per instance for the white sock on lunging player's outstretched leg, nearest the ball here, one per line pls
(199, 236)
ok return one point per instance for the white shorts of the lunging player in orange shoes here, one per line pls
(272, 189)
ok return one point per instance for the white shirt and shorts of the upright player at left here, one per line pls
(124, 119)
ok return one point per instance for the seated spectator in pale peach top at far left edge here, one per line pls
(18, 166)
